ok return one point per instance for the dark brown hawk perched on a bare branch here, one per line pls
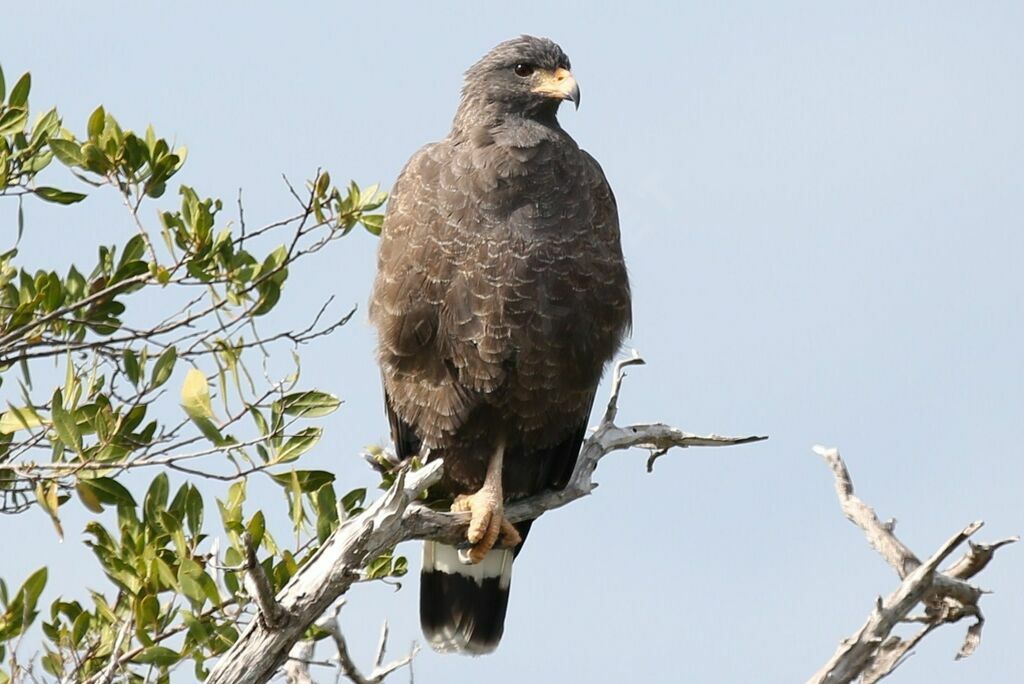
(501, 295)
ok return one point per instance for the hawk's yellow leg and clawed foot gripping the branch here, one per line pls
(488, 525)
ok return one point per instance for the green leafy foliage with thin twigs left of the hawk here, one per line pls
(179, 305)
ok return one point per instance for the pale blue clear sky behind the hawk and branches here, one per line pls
(822, 211)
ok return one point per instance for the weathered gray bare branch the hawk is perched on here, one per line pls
(264, 650)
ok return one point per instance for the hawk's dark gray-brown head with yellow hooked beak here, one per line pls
(526, 76)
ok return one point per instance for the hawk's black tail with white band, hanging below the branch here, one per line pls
(462, 607)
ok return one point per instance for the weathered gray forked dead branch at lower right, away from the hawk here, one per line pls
(872, 653)
